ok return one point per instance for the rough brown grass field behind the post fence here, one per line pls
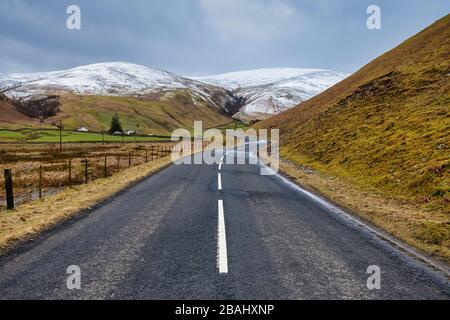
(25, 161)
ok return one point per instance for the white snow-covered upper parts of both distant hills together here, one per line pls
(247, 95)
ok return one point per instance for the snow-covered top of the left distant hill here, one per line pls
(107, 79)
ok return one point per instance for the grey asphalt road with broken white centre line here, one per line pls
(168, 238)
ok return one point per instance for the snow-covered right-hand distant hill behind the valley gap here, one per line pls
(270, 91)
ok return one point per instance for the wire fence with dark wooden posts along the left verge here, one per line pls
(36, 179)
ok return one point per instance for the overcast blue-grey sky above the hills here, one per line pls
(199, 37)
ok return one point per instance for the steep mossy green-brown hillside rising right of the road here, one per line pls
(386, 127)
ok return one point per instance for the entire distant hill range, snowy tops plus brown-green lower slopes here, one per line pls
(173, 99)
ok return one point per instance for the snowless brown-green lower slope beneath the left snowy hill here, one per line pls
(159, 114)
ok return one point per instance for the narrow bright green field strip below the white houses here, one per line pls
(52, 136)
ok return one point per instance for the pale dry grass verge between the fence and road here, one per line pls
(34, 217)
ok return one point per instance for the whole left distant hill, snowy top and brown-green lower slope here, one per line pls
(148, 100)
